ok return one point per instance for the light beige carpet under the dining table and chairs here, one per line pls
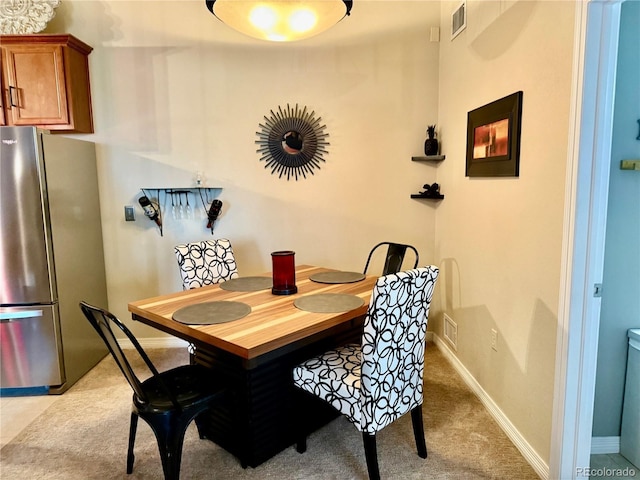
(84, 436)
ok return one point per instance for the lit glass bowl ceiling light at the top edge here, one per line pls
(280, 20)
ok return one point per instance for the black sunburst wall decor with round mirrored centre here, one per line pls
(292, 142)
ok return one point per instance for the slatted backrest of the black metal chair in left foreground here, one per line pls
(104, 321)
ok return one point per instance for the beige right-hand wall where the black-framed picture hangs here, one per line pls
(498, 240)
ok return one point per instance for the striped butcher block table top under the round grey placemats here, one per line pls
(274, 320)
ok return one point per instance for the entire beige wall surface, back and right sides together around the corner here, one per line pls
(175, 91)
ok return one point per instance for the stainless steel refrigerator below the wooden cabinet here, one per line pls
(51, 258)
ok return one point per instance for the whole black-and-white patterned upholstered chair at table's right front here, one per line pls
(375, 383)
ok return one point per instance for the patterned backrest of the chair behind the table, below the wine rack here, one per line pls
(206, 263)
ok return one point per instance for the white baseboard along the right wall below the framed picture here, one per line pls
(527, 451)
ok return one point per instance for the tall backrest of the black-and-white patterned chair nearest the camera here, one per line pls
(393, 346)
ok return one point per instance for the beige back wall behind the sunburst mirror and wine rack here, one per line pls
(176, 91)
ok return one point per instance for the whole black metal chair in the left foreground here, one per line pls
(167, 401)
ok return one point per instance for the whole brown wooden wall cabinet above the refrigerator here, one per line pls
(45, 82)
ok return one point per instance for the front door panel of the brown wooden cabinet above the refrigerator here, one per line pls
(36, 83)
